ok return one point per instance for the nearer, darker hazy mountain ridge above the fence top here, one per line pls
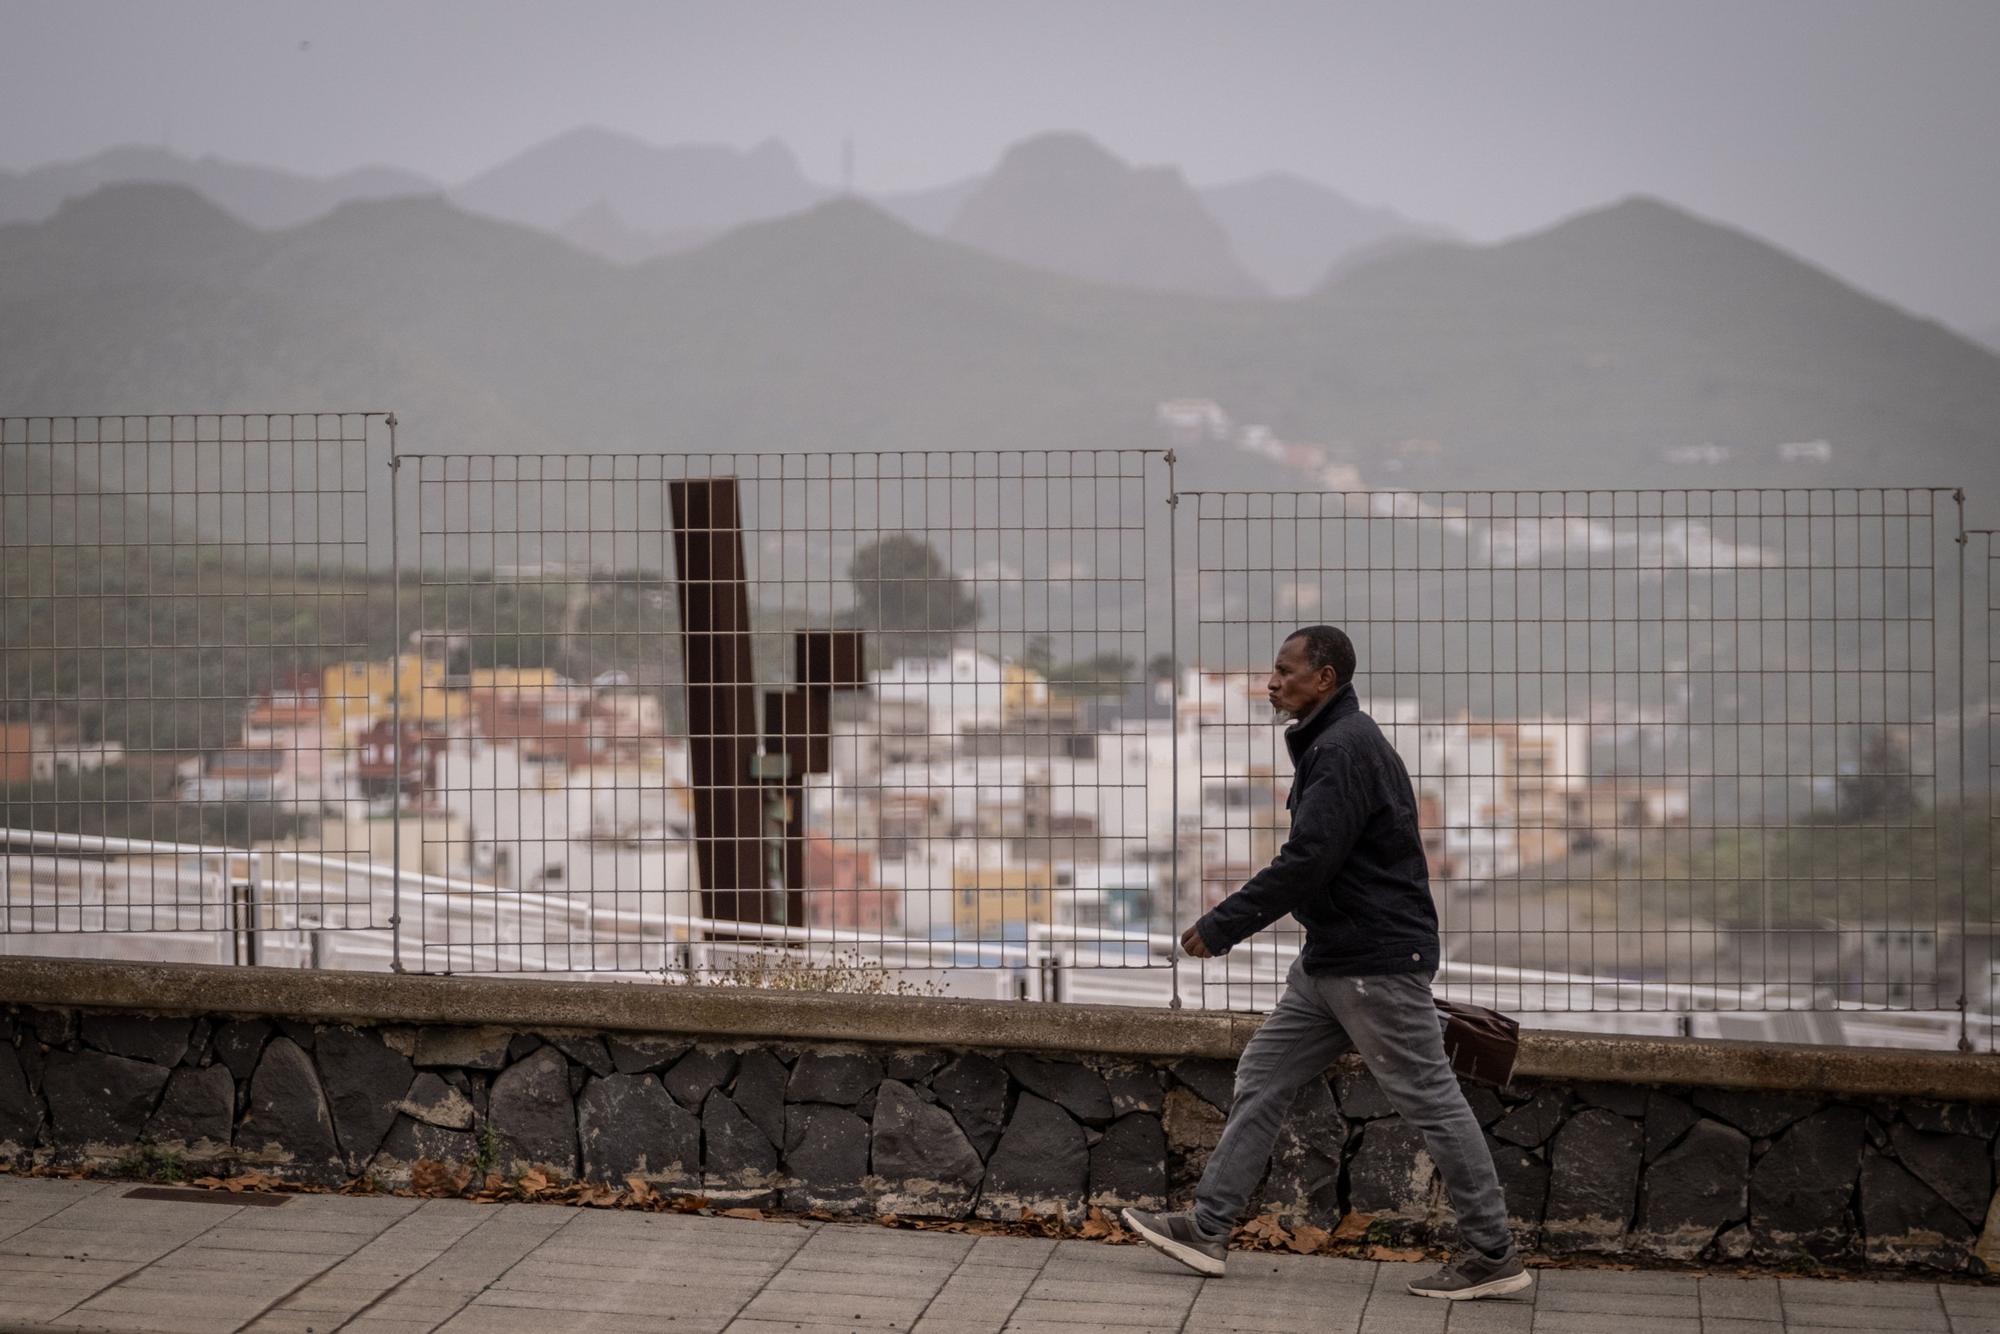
(1579, 357)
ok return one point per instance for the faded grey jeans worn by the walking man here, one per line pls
(1395, 1027)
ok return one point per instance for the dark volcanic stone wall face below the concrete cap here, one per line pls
(953, 1133)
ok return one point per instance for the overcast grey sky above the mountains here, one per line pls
(1863, 135)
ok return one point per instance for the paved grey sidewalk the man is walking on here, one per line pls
(87, 1257)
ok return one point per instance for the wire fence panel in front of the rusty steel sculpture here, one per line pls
(889, 707)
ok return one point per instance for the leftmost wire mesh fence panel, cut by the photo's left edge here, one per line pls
(171, 593)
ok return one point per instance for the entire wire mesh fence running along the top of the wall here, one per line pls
(973, 721)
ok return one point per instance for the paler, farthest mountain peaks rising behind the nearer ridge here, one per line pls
(1057, 203)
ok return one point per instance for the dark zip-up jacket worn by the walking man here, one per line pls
(1353, 869)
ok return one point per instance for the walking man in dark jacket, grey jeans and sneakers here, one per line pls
(1353, 873)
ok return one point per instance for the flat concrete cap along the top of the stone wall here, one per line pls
(925, 1021)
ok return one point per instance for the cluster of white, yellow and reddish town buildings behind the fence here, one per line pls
(967, 799)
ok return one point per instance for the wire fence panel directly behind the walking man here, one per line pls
(1675, 751)
